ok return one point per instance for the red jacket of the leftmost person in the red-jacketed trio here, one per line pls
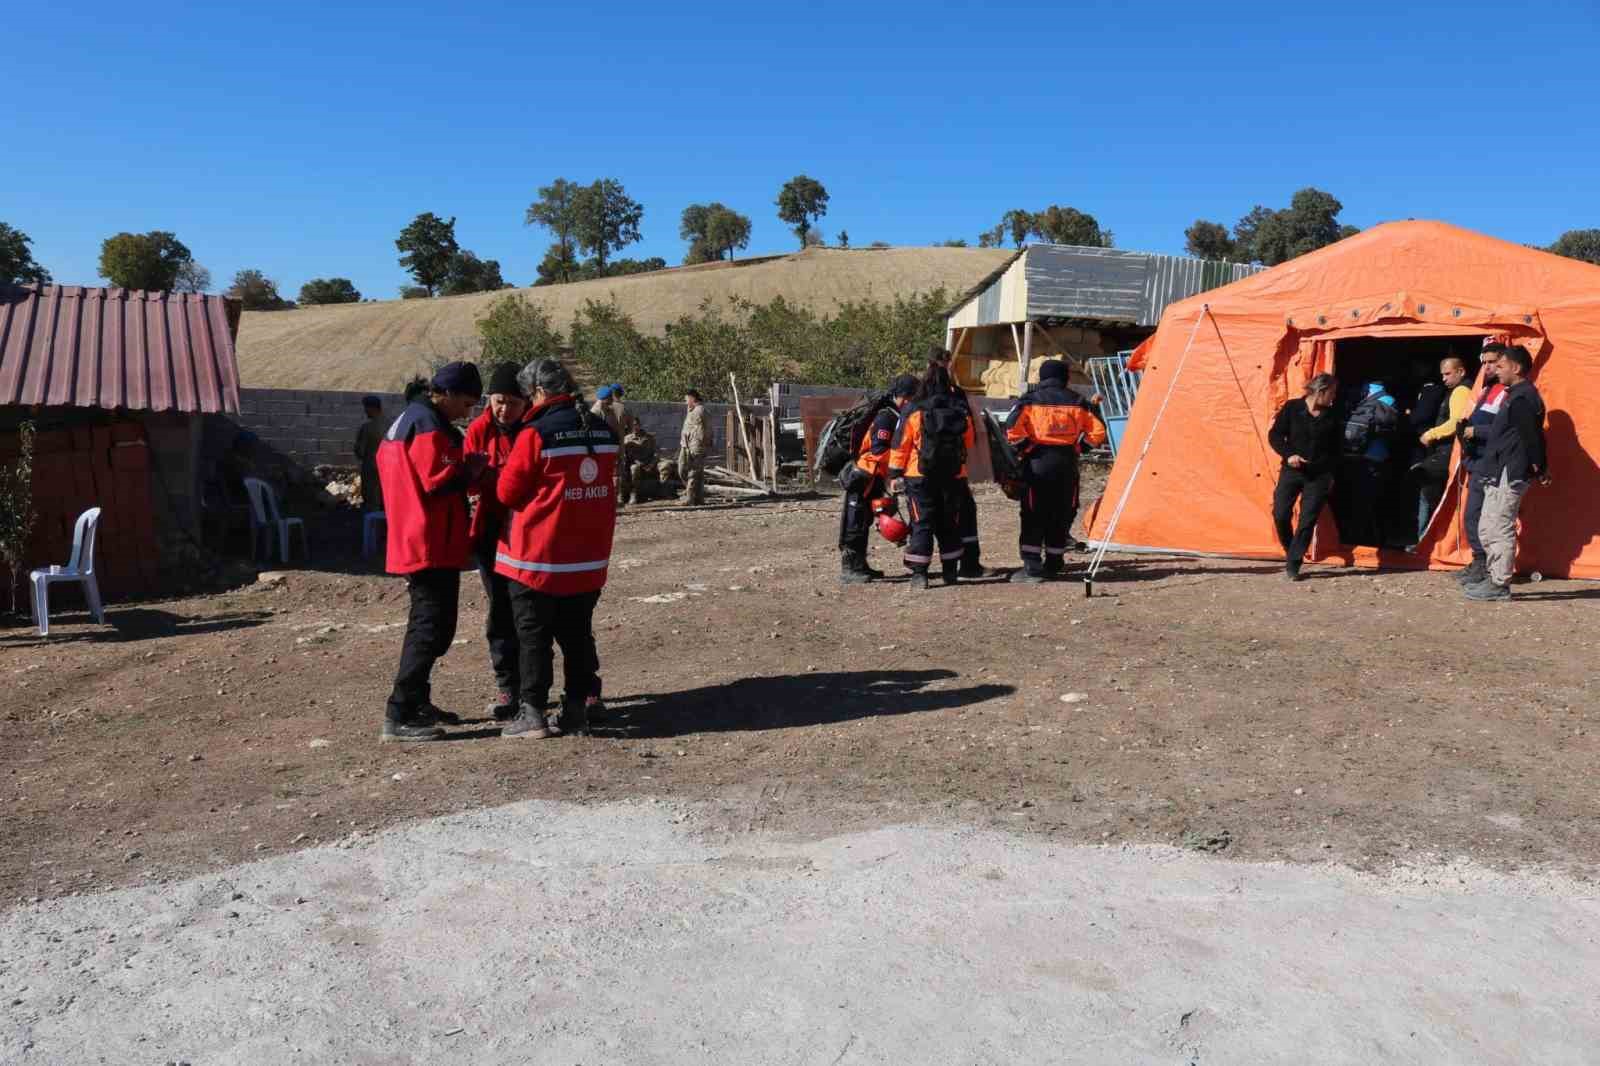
(425, 492)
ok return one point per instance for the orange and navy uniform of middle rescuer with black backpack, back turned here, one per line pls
(934, 500)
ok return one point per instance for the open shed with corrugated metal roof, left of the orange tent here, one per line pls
(1071, 300)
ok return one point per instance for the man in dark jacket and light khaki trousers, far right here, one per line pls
(1514, 457)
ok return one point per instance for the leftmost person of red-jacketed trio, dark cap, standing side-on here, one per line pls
(426, 478)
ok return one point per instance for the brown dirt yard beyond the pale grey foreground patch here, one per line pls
(1372, 719)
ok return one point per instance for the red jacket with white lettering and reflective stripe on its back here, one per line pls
(558, 486)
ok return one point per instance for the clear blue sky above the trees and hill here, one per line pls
(300, 138)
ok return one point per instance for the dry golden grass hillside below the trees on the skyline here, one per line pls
(380, 345)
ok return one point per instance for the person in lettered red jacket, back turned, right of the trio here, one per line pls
(558, 547)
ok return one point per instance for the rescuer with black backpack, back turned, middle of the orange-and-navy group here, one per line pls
(927, 462)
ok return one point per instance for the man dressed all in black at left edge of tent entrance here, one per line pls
(1308, 436)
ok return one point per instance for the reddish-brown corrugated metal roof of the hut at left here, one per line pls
(116, 348)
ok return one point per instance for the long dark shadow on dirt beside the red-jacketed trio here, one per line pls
(790, 702)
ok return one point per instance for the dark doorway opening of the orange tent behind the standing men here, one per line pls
(1386, 495)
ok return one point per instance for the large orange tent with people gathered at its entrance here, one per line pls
(1223, 363)
